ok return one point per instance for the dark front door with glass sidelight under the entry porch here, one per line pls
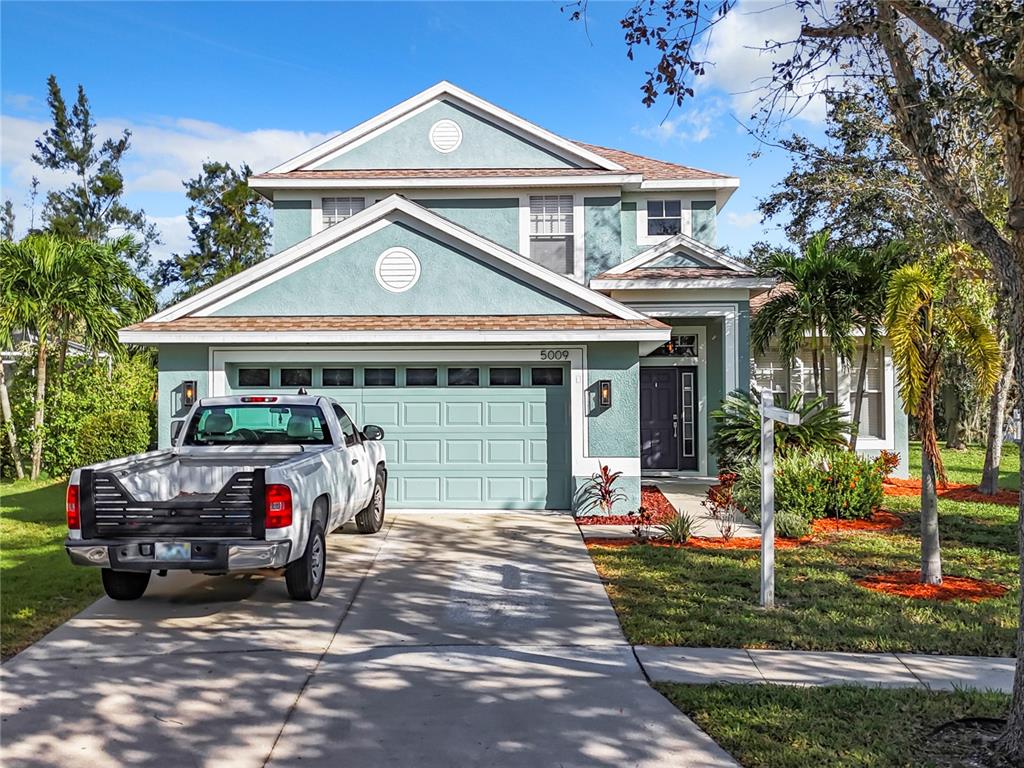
(669, 405)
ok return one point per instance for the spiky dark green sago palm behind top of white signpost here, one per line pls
(737, 436)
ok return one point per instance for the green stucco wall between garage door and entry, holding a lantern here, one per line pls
(614, 433)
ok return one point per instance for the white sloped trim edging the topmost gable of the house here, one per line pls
(435, 94)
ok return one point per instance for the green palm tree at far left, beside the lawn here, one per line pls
(48, 283)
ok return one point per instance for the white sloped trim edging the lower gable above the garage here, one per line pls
(392, 210)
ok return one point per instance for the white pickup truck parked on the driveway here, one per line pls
(252, 482)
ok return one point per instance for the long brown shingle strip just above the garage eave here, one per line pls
(400, 324)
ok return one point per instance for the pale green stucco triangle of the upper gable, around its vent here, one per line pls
(485, 145)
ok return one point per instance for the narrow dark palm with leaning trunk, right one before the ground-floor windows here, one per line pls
(872, 271)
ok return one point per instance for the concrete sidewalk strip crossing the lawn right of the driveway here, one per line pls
(707, 666)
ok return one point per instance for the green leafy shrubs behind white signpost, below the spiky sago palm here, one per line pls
(809, 487)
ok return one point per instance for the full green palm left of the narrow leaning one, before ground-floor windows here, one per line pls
(815, 300)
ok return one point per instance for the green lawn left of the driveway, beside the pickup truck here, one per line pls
(39, 587)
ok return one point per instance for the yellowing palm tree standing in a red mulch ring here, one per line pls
(923, 317)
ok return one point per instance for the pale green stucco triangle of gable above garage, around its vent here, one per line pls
(451, 283)
